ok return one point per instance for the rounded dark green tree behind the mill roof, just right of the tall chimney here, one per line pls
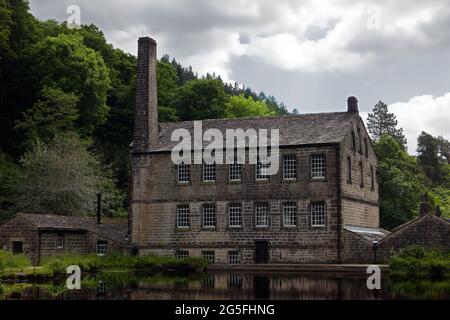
(201, 99)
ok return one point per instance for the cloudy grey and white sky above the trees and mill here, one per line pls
(309, 54)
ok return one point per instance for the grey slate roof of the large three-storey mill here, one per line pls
(313, 128)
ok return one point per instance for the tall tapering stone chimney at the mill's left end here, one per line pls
(146, 111)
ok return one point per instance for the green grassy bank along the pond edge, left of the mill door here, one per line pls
(18, 266)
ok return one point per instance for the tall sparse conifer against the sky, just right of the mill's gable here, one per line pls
(381, 122)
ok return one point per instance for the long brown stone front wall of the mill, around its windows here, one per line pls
(156, 195)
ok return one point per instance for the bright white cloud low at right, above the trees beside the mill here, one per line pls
(423, 113)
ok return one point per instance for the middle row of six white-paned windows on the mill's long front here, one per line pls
(209, 220)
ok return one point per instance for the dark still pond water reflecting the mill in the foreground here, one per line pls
(226, 286)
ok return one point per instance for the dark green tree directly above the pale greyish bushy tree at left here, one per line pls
(54, 113)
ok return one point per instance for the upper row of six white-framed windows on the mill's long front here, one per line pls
(235, 169)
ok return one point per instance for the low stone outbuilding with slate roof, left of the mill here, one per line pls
(39, 236)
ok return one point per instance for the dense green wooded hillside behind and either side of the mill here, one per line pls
(66, 119)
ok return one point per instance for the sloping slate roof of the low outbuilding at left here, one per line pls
(113, 229)
